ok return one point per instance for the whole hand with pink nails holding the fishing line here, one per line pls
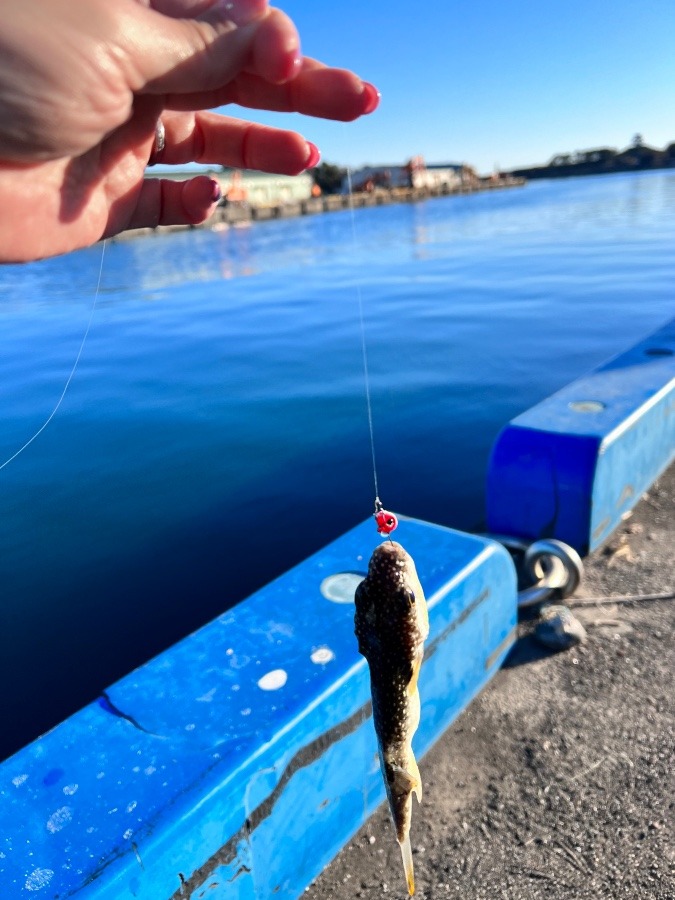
(83, 84)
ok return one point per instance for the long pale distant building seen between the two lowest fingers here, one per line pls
(257, 189)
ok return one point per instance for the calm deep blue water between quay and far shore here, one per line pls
(215, 432)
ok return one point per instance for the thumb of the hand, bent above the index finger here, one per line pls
(168, 55)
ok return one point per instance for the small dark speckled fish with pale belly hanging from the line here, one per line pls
(391, 624)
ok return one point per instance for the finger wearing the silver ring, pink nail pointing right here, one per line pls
(213, 139)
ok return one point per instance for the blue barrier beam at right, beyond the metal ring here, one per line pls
(573, 465)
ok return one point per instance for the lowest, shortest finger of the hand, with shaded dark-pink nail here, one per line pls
(165, 202)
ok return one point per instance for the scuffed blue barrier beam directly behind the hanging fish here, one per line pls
(240, 761)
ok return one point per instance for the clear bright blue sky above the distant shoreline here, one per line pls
(488, 83)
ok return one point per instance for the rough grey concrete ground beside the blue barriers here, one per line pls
(559, 780)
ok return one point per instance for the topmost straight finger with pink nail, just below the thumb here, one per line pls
(316, 90)
